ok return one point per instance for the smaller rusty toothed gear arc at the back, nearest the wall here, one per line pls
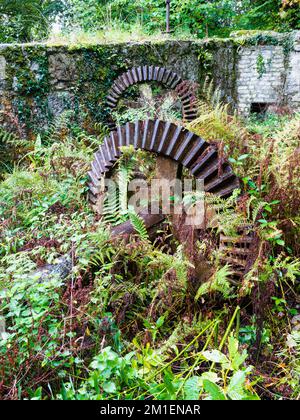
(161, 75)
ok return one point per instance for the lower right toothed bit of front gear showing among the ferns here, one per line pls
(239, 251)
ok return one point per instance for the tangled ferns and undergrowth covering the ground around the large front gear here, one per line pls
(140, 317)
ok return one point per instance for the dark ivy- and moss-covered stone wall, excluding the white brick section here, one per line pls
(39, 81)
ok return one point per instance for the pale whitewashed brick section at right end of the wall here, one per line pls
(269, 74)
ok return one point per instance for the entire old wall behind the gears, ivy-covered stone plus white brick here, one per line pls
(38, 81)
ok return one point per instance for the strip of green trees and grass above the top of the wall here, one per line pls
(27, 20)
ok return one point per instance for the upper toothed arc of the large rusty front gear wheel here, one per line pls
(170, 140)
